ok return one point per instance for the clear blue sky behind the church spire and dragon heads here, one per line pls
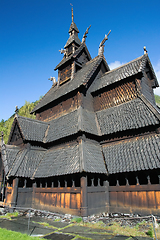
(32, 32)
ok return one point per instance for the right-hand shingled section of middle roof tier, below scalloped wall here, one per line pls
(130, 115)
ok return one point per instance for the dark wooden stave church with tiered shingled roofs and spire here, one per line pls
(95, 144)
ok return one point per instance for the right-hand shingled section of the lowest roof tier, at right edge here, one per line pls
(141, 153)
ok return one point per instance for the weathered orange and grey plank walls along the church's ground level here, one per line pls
(140, 199)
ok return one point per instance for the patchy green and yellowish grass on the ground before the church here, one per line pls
(141, 229)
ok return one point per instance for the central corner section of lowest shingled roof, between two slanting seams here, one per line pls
(72, 158)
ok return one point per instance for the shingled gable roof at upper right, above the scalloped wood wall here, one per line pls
(127, 70)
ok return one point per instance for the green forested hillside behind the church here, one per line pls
(25, 110)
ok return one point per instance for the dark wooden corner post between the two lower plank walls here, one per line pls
(84, 202)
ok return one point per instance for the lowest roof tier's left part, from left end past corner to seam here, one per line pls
(63, 159)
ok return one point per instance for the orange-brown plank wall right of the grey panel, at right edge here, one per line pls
(142, 199)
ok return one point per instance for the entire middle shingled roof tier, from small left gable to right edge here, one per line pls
(133, 114)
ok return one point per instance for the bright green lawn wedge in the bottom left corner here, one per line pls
(10, 235)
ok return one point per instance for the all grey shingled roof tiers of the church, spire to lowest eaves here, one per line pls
(65, 150)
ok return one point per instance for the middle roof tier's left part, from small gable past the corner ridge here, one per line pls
(63, 126)
